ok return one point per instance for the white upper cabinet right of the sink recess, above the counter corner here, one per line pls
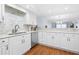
(30, 16)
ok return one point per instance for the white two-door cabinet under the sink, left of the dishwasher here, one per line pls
(19, 44)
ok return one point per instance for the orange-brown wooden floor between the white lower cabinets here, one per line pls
(43, 50)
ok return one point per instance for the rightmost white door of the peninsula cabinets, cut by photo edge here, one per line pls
(74, 42)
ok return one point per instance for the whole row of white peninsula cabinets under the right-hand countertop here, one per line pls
(65, 41)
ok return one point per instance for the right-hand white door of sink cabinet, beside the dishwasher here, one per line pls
(25, 43)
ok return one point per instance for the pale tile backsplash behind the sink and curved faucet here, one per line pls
(10, 21)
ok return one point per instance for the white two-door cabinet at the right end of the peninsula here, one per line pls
(70, 42)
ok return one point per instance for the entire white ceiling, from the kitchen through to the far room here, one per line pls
(54, 11)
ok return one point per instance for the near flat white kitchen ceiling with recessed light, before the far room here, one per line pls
(52, 9)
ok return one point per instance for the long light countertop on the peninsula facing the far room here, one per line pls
(71, 31)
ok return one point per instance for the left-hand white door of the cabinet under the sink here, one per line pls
(15, 45)
